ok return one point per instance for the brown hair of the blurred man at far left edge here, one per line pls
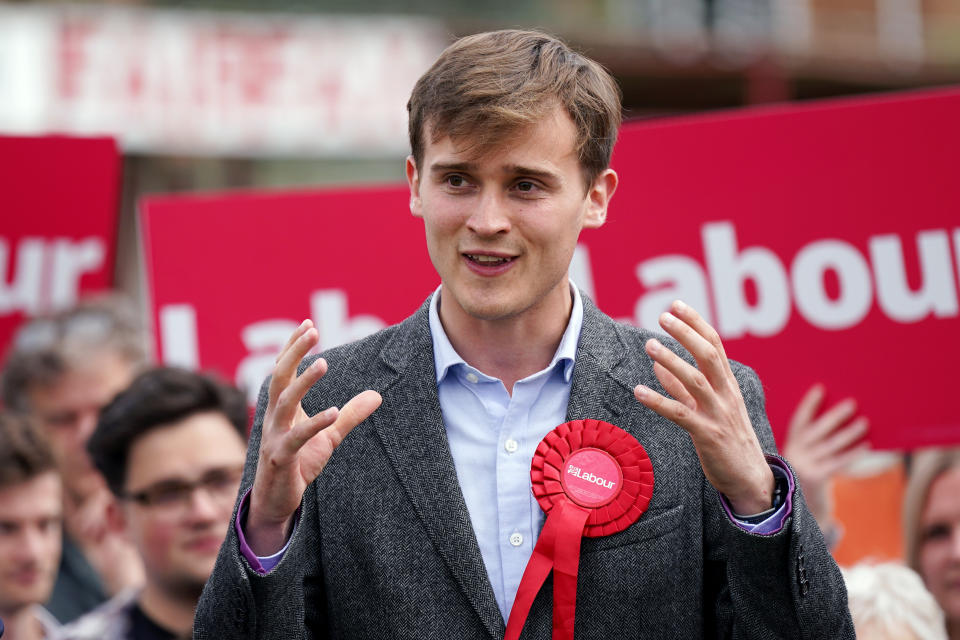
(24, 453)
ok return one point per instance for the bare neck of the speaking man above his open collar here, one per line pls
(509, 349)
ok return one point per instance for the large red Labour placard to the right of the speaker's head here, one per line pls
(823, 242)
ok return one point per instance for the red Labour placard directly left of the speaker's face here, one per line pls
(232, 276)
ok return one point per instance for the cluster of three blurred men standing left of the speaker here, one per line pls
(117, 480)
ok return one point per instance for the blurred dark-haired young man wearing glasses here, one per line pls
(171, 447)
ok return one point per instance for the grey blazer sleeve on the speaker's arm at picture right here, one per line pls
(784, 585)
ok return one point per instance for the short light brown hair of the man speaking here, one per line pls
(485, 86)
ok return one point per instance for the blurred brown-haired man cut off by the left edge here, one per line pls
(31, 508)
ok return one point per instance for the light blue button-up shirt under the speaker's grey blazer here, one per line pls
(493, 436)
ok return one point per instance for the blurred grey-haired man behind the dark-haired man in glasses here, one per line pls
(61, 371)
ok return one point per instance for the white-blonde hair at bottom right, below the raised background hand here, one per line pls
(890, 598)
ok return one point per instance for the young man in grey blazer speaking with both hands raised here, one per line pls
(420, 524)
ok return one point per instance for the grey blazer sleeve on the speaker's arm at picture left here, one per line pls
(239, 603)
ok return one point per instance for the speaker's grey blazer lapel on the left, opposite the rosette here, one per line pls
(411, 427)
